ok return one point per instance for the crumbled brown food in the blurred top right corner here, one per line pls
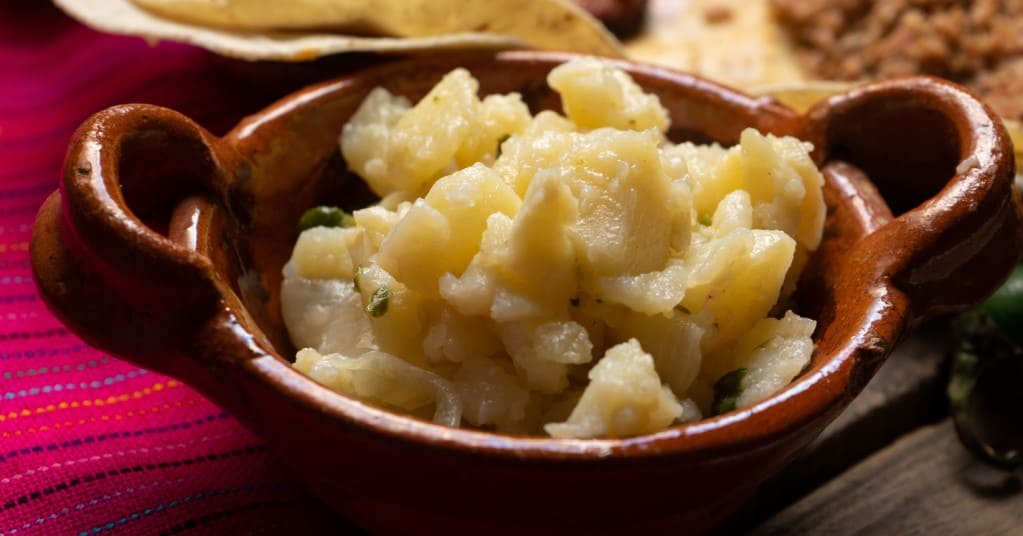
(977, 43)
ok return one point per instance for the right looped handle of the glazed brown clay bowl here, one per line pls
(945, 164)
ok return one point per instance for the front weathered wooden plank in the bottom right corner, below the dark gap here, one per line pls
(925, 483)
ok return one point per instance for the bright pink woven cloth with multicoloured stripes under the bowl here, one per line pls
(91, 444)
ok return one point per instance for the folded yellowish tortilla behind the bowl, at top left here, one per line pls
(309, 30)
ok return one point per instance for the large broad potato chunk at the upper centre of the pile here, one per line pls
(627, 203)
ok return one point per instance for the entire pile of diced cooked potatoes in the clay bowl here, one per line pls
(509, 253)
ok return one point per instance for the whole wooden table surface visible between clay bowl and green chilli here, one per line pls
(892, 464)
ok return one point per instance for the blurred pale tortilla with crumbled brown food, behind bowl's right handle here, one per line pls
(978, 43)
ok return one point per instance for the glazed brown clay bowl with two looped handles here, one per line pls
(165, 247)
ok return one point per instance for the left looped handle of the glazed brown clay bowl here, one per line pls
(101, 252)
